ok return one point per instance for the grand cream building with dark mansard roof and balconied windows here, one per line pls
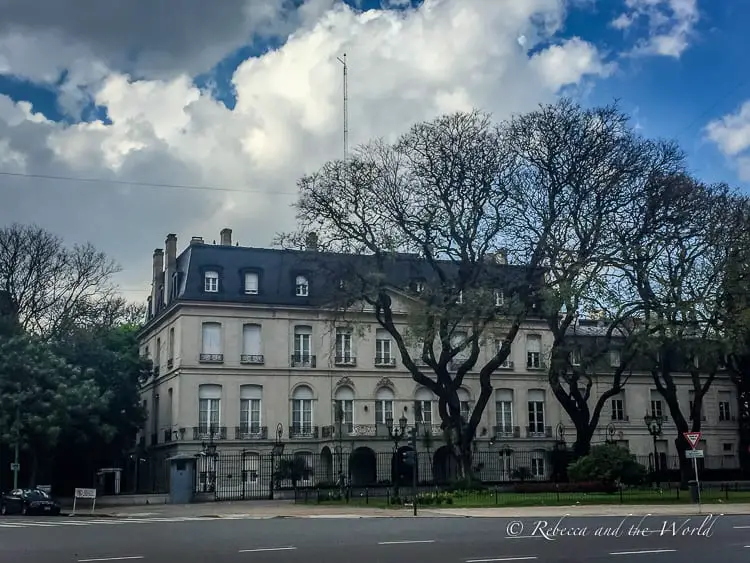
(241, 344)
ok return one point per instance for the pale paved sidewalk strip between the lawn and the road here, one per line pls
(288, 509)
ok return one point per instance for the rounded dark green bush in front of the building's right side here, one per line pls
(607, 464)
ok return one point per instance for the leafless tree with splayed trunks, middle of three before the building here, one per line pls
(577, 173)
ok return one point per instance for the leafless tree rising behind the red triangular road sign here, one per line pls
(674, 258)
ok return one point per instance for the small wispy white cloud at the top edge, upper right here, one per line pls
(671, 25)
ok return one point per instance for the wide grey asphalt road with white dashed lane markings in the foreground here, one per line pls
(669, 539)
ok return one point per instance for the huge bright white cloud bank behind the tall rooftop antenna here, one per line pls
(404, 66)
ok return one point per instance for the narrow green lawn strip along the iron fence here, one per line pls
(487, 499)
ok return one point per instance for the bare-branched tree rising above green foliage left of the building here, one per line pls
(52, 287)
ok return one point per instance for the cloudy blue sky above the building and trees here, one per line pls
(246, 96)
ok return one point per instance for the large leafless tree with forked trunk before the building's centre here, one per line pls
(431, 207)
